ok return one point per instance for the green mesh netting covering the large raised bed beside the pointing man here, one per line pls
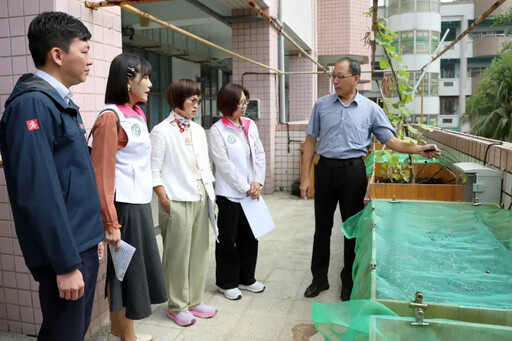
(455, 253)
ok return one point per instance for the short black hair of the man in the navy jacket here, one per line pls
(53, 29)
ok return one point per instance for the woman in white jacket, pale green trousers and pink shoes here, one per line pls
(183, 181)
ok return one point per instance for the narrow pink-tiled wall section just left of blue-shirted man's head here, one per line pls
(302, 88)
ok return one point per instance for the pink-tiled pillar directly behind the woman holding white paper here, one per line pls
(258, 41)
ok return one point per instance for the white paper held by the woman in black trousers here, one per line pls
(258, 216)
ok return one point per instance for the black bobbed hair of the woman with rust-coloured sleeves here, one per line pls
(122, 68)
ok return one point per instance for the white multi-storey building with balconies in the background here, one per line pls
(421, 25)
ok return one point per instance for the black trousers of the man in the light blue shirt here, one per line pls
(340, 182)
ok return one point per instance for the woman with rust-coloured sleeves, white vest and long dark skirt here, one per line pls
(121, 151)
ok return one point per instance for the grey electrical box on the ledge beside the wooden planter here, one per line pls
(483, 184)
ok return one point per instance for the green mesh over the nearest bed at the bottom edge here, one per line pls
(370, 320)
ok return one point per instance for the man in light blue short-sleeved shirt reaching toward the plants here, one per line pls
(343, 123)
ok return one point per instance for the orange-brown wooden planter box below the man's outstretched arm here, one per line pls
(448, 191)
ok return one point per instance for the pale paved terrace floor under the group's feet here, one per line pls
(283, 266)
